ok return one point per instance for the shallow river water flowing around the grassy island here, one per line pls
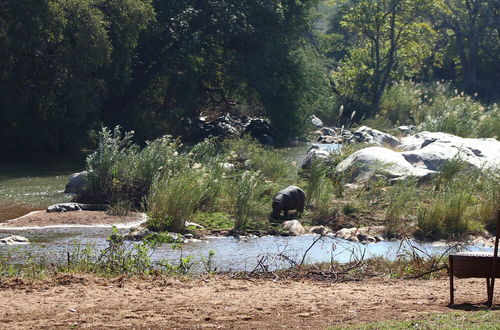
(31, 187)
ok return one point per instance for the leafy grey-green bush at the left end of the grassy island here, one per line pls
(120, 173)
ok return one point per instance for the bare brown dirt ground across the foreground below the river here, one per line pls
(218, 302)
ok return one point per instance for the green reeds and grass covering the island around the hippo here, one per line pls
(230, 185)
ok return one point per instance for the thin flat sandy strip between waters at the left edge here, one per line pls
(43, 218)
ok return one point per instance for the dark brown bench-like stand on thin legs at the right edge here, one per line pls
(477, 265)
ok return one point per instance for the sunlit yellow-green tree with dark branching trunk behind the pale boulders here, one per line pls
(392, 39)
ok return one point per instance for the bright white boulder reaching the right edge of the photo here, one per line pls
(430, 150)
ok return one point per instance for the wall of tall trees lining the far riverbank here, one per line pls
(69, 66)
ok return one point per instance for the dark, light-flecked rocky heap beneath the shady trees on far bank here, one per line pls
(199, 129)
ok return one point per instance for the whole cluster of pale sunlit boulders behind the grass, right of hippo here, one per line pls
(419, 155)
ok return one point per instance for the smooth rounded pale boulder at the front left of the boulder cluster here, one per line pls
(367, 162)
